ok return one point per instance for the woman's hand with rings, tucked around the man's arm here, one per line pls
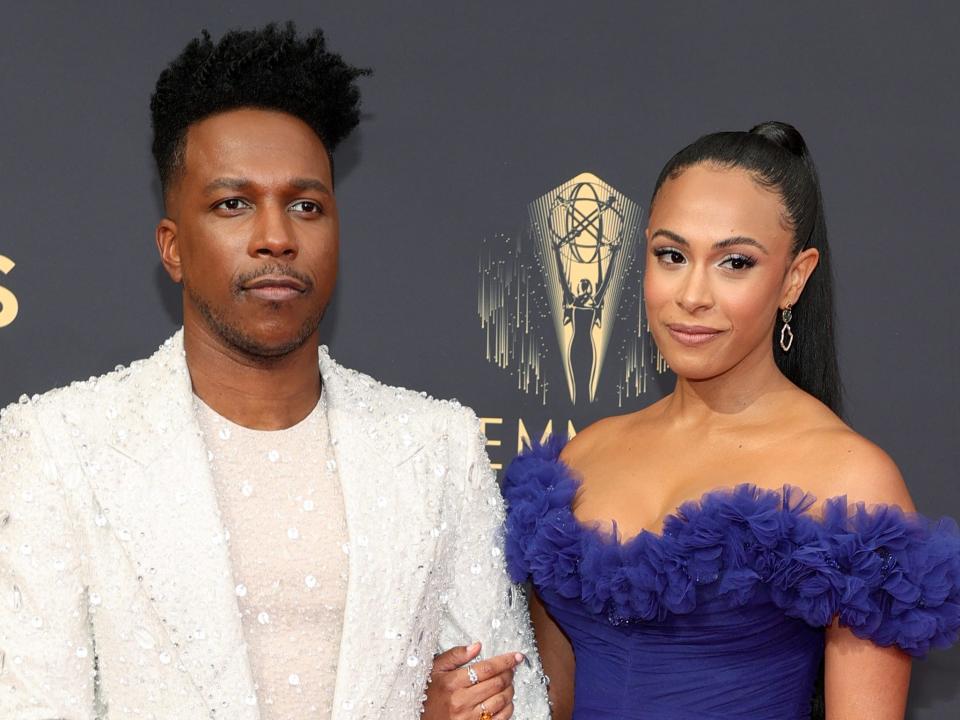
(456, 693)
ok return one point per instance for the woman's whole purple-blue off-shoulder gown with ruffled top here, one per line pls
(722, 615)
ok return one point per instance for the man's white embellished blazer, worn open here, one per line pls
(116, 591)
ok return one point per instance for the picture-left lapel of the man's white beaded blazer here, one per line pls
(152, 481)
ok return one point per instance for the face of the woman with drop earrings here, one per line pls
(719, 268)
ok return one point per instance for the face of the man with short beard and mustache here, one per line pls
(252, 231)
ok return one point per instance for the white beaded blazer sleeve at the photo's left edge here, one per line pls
(46, 650)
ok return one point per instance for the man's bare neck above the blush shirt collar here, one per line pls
(260, 394)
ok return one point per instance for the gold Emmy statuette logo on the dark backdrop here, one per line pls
(573, 273)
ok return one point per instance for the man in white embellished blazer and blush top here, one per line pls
(228, 529)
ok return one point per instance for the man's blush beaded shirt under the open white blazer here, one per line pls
(282, 509)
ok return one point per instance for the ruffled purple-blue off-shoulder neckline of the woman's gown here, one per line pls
(888, 575)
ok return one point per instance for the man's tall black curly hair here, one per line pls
(269, 69)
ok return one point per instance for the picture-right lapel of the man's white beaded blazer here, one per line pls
(391, 513)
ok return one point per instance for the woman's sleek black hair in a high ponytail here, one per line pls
(775, 154)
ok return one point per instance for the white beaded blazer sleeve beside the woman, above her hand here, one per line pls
(484, 605)
